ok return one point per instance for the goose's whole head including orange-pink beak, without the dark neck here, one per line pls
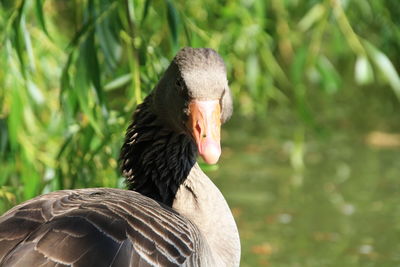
(193, 97)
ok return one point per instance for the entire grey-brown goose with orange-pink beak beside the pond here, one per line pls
(171, 215)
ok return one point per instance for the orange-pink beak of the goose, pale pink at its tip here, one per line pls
(205, 126)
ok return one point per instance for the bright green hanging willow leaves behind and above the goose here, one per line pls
(73, 71)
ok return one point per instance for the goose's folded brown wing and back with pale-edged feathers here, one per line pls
(96, 227)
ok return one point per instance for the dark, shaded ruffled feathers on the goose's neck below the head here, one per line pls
(155, 159)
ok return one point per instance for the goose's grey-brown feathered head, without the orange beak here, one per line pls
(194, 74)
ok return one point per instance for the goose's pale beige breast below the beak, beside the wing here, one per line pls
(199, 200)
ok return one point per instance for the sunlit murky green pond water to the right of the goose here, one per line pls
(338, 205)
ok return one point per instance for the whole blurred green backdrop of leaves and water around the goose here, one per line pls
(311, 157)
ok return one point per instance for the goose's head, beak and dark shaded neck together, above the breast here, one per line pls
(179, 120)
